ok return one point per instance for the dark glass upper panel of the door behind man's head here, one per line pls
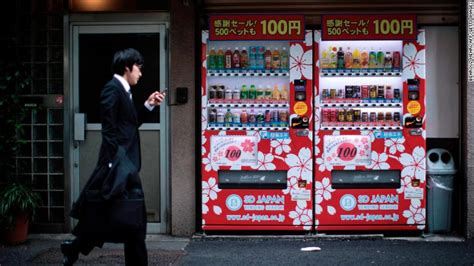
(97, 50)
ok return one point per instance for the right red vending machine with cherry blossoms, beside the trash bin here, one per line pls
(370, 140)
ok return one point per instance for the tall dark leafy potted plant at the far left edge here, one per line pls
(17, 200)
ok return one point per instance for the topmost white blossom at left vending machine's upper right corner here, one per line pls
(300, 62)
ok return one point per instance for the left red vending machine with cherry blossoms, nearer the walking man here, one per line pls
(257, 123)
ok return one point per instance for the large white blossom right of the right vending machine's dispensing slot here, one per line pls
(414, 165)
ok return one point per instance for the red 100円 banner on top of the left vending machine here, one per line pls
(256, 27)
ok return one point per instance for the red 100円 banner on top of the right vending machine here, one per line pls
(369, 27)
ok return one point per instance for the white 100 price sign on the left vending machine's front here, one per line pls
(234, 150)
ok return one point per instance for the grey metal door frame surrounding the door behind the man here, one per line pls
(116, 23)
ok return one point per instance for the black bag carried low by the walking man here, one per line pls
(115, 215)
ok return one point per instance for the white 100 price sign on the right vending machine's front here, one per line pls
(347, 150)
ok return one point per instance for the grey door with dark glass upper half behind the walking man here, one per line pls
(92, 47)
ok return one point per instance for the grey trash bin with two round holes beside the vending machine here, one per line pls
(440, 190)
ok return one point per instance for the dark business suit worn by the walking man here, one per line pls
(120, 121)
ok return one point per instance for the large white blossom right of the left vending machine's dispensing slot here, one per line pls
(301, 165)
